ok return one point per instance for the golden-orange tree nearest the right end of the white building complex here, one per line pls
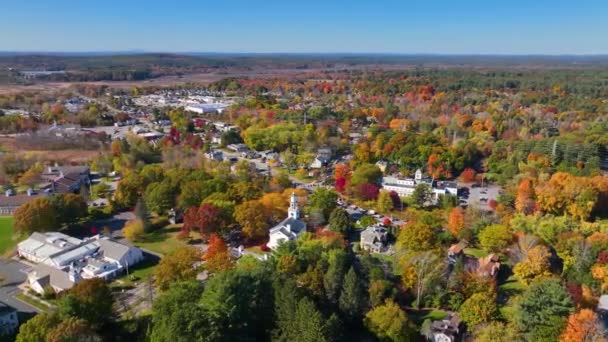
(176, 266)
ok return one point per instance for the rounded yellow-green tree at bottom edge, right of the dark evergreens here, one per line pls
(388, 322)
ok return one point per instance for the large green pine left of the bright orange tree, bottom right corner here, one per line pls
(543, 309)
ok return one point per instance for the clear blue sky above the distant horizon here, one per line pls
(440, 26)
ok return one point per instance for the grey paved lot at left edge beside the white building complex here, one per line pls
(14, 275)
